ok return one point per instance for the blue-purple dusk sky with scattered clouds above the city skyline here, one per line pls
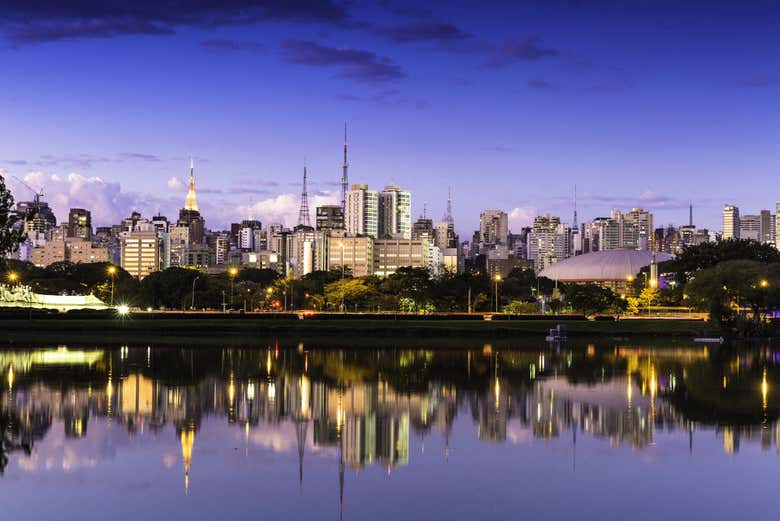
(512, 104)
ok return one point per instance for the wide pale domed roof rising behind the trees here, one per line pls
(612, 265)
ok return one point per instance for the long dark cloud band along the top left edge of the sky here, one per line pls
(29, 22)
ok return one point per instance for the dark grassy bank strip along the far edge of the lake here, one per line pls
(217, 329)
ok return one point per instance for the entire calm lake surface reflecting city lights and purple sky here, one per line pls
(286, 432)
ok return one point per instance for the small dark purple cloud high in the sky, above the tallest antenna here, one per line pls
(352, 64)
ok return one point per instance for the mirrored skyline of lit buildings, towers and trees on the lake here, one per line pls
(365, 404)
